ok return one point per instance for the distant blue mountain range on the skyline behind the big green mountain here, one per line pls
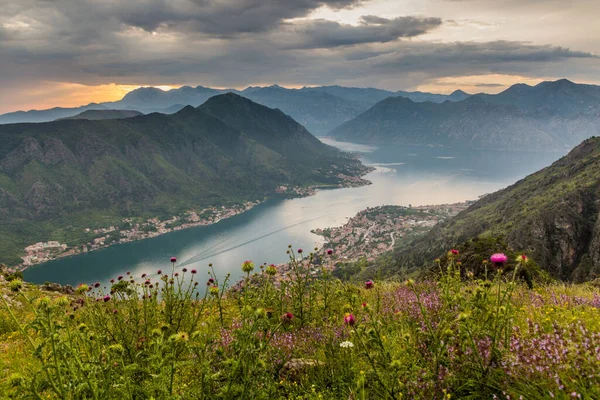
(319, 109)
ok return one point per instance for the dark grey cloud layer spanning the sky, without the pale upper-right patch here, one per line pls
(238, 42)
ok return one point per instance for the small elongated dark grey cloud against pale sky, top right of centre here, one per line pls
(371, 29)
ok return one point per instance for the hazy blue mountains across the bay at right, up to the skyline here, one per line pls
(549, 116)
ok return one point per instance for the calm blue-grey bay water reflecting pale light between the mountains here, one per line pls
(404, 175)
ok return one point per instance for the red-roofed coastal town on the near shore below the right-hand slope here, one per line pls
(376, 230)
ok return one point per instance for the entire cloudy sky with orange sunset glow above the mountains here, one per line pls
(73, 52)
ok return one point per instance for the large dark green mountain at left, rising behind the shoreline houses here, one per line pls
(60, 177)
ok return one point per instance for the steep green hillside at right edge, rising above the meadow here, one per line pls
(553, 215)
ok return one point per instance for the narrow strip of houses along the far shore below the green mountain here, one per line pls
(43, 252)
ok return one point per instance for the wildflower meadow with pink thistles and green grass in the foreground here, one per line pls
(303, 334)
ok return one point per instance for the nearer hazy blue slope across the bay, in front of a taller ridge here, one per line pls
(468, 123)
